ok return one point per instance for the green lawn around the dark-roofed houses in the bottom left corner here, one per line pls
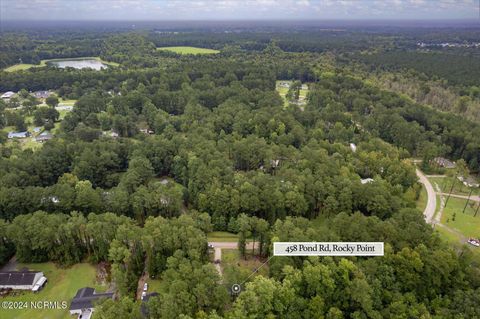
(62, 285)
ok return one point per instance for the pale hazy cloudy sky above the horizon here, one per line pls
(236, 9)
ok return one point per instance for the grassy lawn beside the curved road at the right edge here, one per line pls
(464, 223)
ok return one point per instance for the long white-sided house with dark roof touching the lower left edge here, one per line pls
(22, 280)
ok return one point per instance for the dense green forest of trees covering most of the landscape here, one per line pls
(206, 143)
